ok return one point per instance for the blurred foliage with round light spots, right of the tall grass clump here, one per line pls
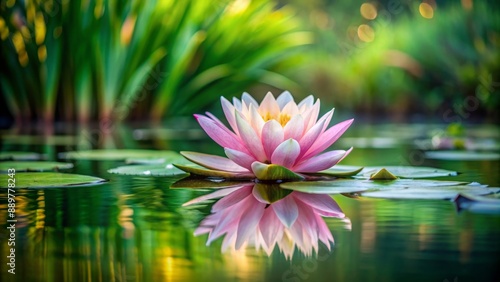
(394, 58)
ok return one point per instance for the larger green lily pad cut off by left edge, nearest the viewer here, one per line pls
(48, 179)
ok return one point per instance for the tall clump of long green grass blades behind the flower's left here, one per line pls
(105, 59)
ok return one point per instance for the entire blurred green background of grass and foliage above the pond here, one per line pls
(390, 60)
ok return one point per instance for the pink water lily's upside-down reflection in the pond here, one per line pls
(264, 215)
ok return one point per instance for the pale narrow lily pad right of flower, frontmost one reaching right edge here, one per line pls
(442, 192)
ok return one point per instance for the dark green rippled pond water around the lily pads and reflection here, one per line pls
(135, 228)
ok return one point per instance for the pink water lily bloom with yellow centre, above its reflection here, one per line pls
(278, 132)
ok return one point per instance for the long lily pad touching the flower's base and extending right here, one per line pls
(354, 185)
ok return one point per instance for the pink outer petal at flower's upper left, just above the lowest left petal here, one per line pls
(220, 134)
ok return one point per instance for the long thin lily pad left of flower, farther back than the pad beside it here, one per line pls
(122, 154)
